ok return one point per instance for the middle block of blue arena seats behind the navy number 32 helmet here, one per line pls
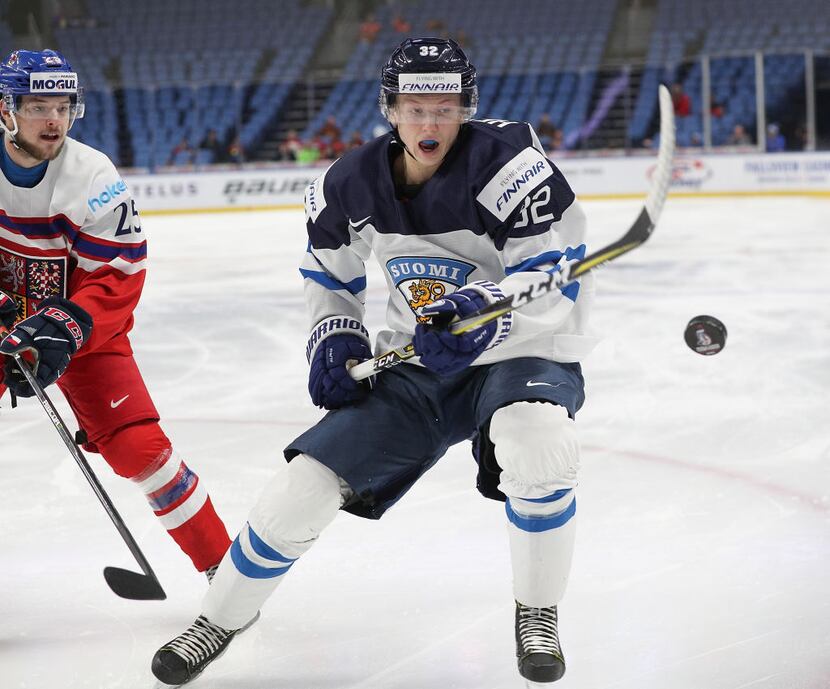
(540, 59)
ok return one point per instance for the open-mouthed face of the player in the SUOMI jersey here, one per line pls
(428, 126)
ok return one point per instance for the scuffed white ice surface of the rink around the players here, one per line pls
(703, 549)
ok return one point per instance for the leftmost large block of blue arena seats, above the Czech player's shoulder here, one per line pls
(158, 71)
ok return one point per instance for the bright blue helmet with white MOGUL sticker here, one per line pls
(43, 73)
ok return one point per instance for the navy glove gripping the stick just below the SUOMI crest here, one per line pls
(440, 350)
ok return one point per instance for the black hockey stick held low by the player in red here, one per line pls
(123, 582)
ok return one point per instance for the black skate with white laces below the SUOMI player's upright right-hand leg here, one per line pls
(537, 644)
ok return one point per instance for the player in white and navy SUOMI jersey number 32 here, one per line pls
(459, 213)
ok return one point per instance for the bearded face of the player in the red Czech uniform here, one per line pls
(42, 125)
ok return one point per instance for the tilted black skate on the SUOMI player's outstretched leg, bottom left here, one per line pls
(186, 656)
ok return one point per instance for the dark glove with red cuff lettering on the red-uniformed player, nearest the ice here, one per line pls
(51, 336)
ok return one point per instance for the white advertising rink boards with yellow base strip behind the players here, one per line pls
(282, 187)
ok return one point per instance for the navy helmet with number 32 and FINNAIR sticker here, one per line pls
(429, 66)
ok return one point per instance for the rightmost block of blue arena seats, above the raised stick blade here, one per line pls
(735, 30)
